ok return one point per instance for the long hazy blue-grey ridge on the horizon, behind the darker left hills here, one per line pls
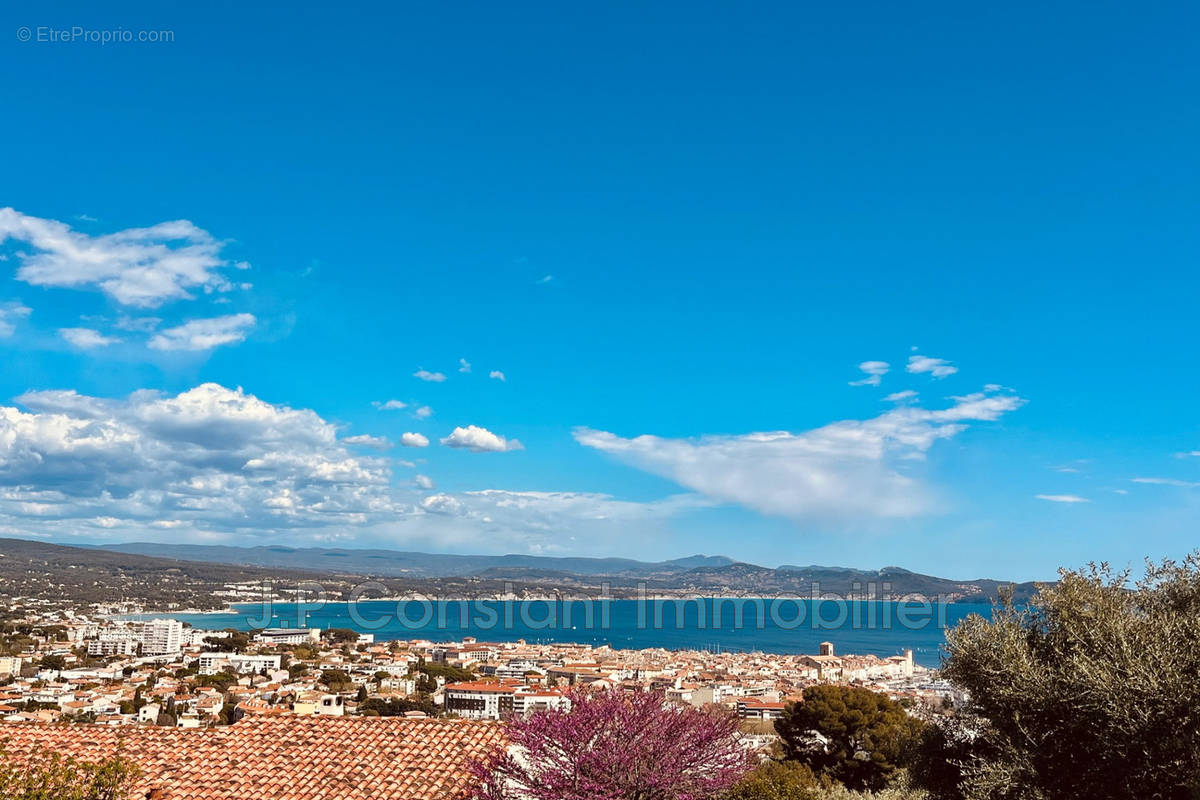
(413, 566)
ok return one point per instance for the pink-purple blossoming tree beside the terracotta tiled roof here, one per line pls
(616, 747)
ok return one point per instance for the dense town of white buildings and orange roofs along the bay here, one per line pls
(161, 672)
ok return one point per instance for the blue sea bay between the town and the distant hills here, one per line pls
(742, 624)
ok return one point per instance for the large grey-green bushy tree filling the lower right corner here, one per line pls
(1089, 693)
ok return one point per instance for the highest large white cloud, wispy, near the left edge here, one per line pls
(139, 267)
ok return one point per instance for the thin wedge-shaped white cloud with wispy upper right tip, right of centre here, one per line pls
(854, 470)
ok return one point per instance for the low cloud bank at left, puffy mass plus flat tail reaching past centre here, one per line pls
(220, 465)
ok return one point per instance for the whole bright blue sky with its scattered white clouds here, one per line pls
(677, 232)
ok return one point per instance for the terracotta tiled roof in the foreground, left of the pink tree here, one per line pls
(280, 759)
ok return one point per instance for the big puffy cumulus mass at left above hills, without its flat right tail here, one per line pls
(211, 458)
